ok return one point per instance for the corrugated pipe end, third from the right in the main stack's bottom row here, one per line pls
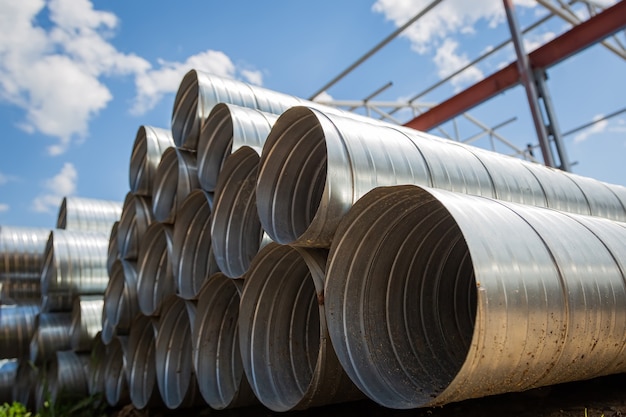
(215, 340)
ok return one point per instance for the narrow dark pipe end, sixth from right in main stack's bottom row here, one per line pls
(115, 378)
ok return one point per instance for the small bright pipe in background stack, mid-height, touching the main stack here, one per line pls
(86, 321)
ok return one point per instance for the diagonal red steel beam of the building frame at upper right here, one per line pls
(591, 31)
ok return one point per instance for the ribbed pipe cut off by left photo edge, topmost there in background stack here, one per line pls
(21, 259)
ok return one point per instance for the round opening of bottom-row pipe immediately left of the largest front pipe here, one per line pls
(280, 328)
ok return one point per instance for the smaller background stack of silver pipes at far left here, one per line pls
(53, 284)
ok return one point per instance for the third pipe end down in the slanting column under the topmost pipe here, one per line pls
(155, 280)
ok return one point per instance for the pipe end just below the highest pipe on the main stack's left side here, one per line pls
(136, 218)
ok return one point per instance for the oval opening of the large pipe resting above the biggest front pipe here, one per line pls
(293, 164)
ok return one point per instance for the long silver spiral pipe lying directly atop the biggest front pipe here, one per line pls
(315, 165)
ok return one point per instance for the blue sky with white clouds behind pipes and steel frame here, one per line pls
(78, 77)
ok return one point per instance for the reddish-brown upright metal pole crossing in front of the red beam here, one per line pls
(528, 81)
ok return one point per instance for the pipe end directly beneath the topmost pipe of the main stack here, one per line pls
(175, 178)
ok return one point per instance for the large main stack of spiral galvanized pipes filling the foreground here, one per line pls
(276, 251)
